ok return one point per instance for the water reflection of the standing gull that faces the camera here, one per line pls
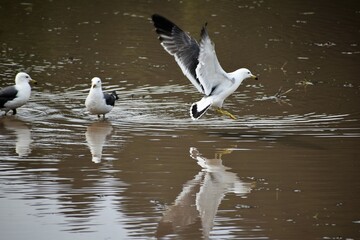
(96, 134)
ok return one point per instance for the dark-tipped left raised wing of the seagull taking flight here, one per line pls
(181, 45)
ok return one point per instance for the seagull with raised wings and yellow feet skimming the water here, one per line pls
(199, 63)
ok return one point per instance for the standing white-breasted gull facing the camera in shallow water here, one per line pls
(99, 102)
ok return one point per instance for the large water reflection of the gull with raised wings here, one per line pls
(201, 196)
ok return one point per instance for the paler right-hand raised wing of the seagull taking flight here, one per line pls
(209, 71)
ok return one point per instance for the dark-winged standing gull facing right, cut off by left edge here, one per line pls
(12, 97)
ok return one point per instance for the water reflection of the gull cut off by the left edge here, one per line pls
(22, 133)
